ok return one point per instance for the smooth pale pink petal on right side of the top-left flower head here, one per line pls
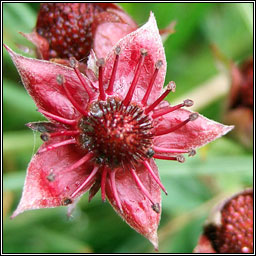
(105, 39)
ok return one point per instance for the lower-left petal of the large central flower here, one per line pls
(47, 183)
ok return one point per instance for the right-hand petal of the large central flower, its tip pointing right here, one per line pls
(192, 135)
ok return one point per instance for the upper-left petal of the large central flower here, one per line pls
(40, 79)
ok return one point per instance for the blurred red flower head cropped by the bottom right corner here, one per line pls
(230, 228)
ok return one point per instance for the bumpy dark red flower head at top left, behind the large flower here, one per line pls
(66, 30)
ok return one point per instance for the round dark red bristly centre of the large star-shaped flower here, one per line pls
(117, 134)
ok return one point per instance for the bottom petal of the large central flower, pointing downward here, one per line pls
(137, 209)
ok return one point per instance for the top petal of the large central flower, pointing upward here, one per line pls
(147, 37)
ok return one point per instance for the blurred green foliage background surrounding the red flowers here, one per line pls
(221, 168)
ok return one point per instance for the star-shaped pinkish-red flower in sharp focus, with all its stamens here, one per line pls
(104, 134)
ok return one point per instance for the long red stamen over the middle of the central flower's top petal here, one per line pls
(129, 95)
